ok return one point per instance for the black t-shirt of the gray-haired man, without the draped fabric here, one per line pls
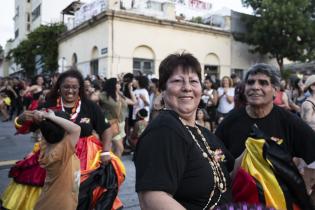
(298, 138)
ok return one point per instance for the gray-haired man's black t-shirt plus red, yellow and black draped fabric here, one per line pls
(268, 175)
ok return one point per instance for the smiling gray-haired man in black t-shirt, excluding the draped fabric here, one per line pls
(296, 136)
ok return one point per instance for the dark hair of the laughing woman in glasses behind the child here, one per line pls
(72, 72)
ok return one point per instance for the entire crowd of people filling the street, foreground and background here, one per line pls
(197, 144)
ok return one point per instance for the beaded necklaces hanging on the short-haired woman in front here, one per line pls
(210, 155)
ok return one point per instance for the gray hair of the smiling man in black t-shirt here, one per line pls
(266, 69)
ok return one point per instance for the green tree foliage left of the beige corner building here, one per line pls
(43, 42)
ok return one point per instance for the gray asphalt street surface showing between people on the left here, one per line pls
(15, 147)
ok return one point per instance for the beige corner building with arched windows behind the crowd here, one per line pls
(119, 41)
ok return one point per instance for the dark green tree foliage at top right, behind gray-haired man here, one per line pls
(281, 28)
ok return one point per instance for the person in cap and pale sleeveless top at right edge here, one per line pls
(308, 106)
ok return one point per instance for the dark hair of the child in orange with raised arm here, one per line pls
(52, 132)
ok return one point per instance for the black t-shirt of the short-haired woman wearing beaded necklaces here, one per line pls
(167, 159)
